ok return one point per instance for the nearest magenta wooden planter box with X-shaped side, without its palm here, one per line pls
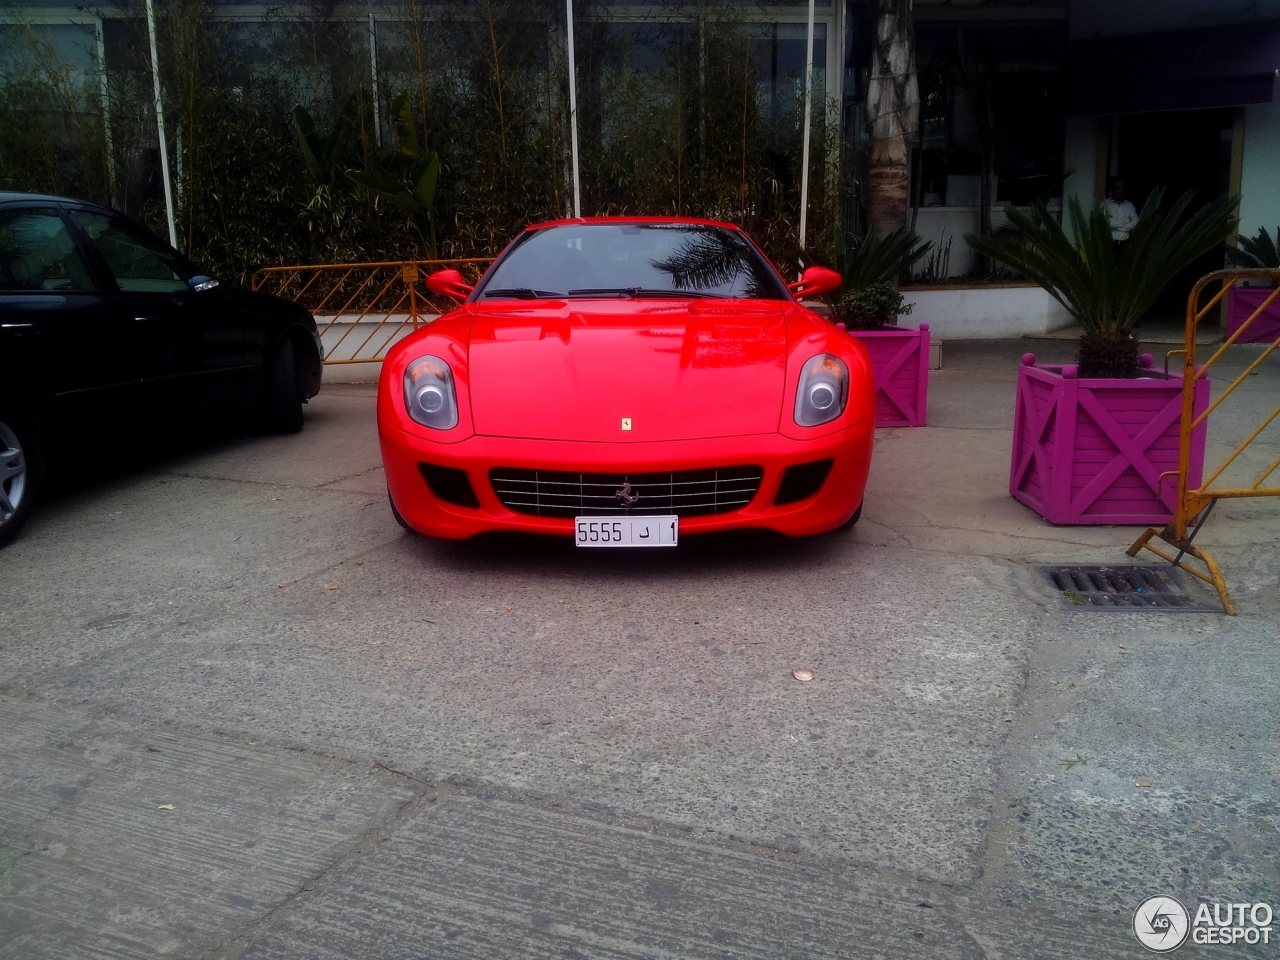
(1092, 451)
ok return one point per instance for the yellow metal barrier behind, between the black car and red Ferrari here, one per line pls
(363, 309)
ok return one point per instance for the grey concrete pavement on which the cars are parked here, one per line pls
(244, 715)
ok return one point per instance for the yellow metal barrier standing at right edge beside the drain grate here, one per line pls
(1195, 505)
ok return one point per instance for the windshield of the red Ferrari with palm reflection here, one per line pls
(633, 260)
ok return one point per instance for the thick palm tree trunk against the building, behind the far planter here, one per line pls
(893, 117)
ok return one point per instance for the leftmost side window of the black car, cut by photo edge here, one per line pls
(38, 254)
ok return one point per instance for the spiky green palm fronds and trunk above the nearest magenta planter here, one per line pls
(1109, 286)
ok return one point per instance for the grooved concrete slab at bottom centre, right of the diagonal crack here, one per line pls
(490, 876)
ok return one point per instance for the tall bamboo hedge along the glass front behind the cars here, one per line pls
(671, 117)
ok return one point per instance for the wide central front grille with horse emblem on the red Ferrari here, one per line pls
(691, 493)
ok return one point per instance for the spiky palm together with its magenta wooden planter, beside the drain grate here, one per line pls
(1098, 442)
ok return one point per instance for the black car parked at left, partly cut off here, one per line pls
(111, 339)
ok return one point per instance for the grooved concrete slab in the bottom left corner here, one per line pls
(127, 842)
